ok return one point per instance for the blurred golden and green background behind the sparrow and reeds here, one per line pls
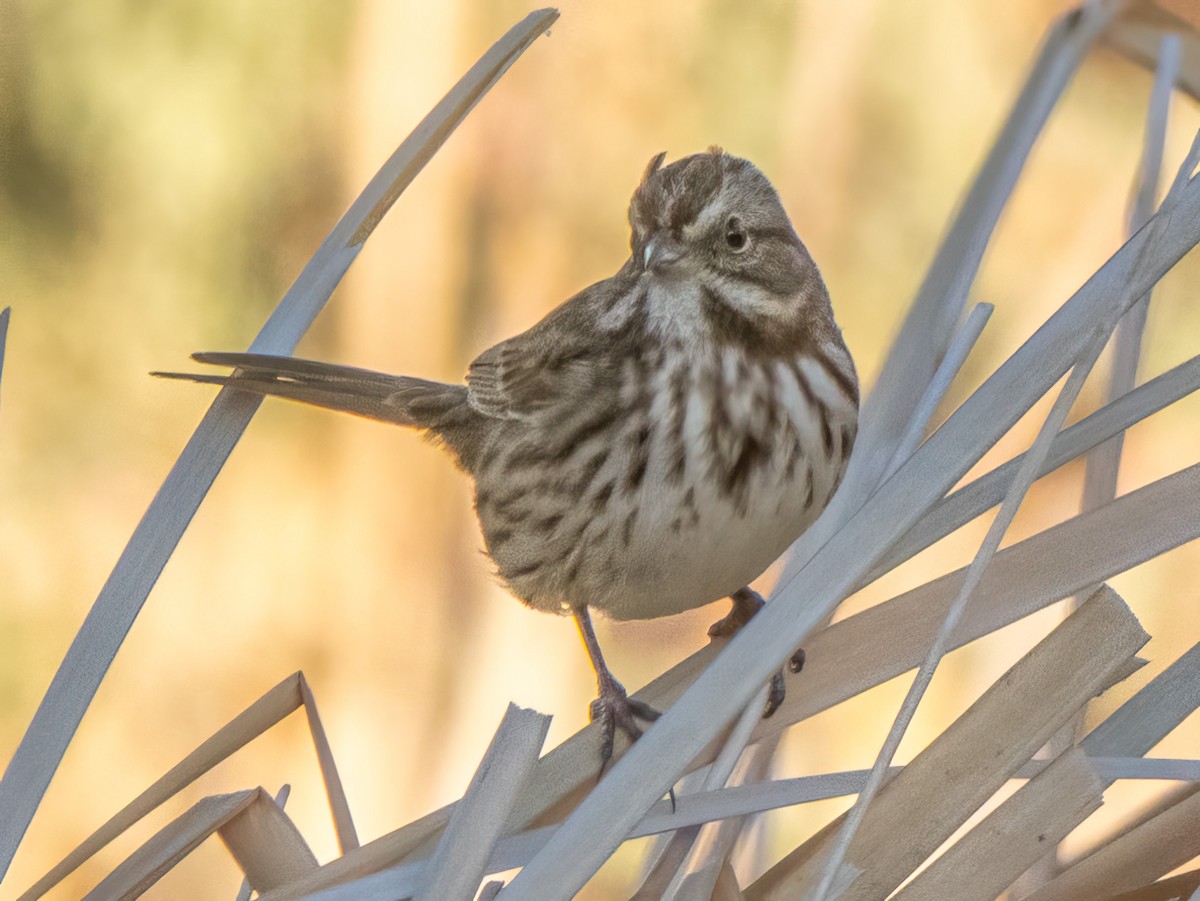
(167, 170)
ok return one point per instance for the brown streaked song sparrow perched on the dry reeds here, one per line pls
(657, 441)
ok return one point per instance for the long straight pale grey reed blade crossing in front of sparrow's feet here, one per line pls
(651, 766)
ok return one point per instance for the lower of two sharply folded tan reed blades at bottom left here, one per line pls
(181, 838)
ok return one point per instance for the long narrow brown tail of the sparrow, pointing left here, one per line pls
(401, 400)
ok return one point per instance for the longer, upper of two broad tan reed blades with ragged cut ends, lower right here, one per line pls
(969, 762)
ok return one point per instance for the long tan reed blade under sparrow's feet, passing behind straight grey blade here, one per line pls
(861, 652)
